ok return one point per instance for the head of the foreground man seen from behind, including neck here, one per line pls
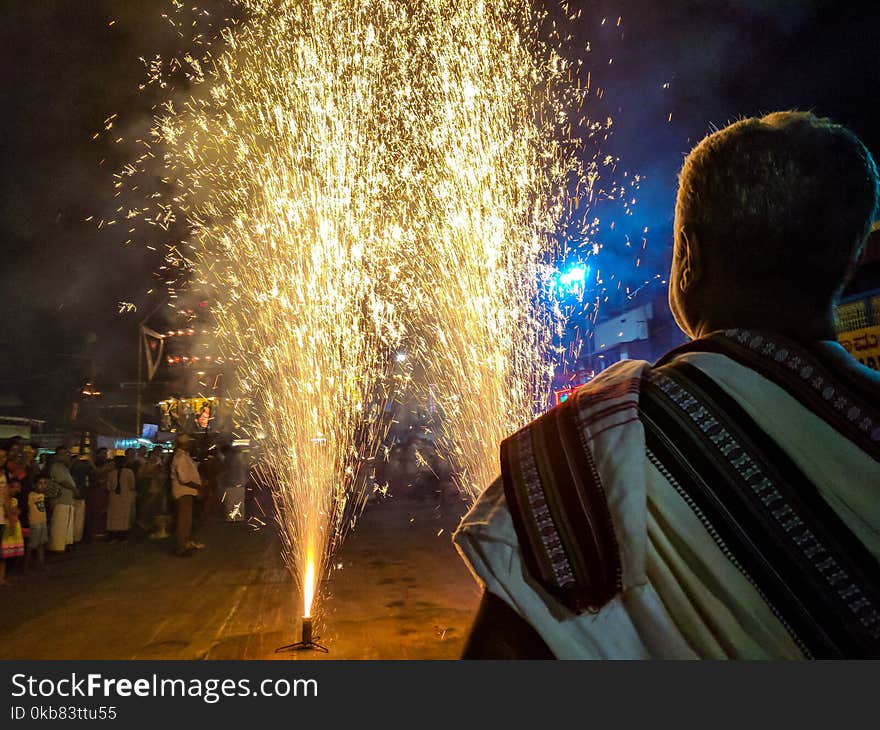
(771, 216)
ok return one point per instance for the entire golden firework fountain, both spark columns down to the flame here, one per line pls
(359, 176)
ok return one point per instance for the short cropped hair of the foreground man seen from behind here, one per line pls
(786, 198)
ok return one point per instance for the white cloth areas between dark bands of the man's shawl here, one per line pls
(681, 598)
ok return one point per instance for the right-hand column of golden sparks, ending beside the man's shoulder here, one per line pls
(496, 158)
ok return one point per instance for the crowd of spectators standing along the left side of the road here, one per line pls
(50, 503)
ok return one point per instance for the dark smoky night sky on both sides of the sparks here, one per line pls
(66, 69)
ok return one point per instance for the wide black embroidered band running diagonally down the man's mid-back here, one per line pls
(756, 501)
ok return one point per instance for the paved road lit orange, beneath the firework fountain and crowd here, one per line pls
(401, 593)
